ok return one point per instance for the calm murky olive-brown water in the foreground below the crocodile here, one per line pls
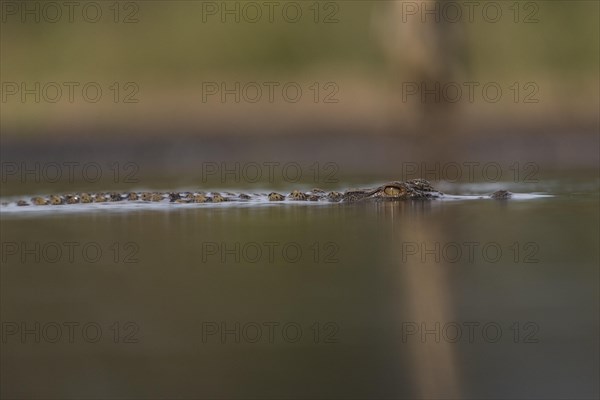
(347, 300)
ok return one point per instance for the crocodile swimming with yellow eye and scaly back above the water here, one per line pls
(407, 190)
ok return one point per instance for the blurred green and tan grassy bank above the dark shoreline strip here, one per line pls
(368, 49)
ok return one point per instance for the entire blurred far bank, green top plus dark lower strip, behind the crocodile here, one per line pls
(153, 61)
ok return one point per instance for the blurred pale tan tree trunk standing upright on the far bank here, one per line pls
(424, 49)
